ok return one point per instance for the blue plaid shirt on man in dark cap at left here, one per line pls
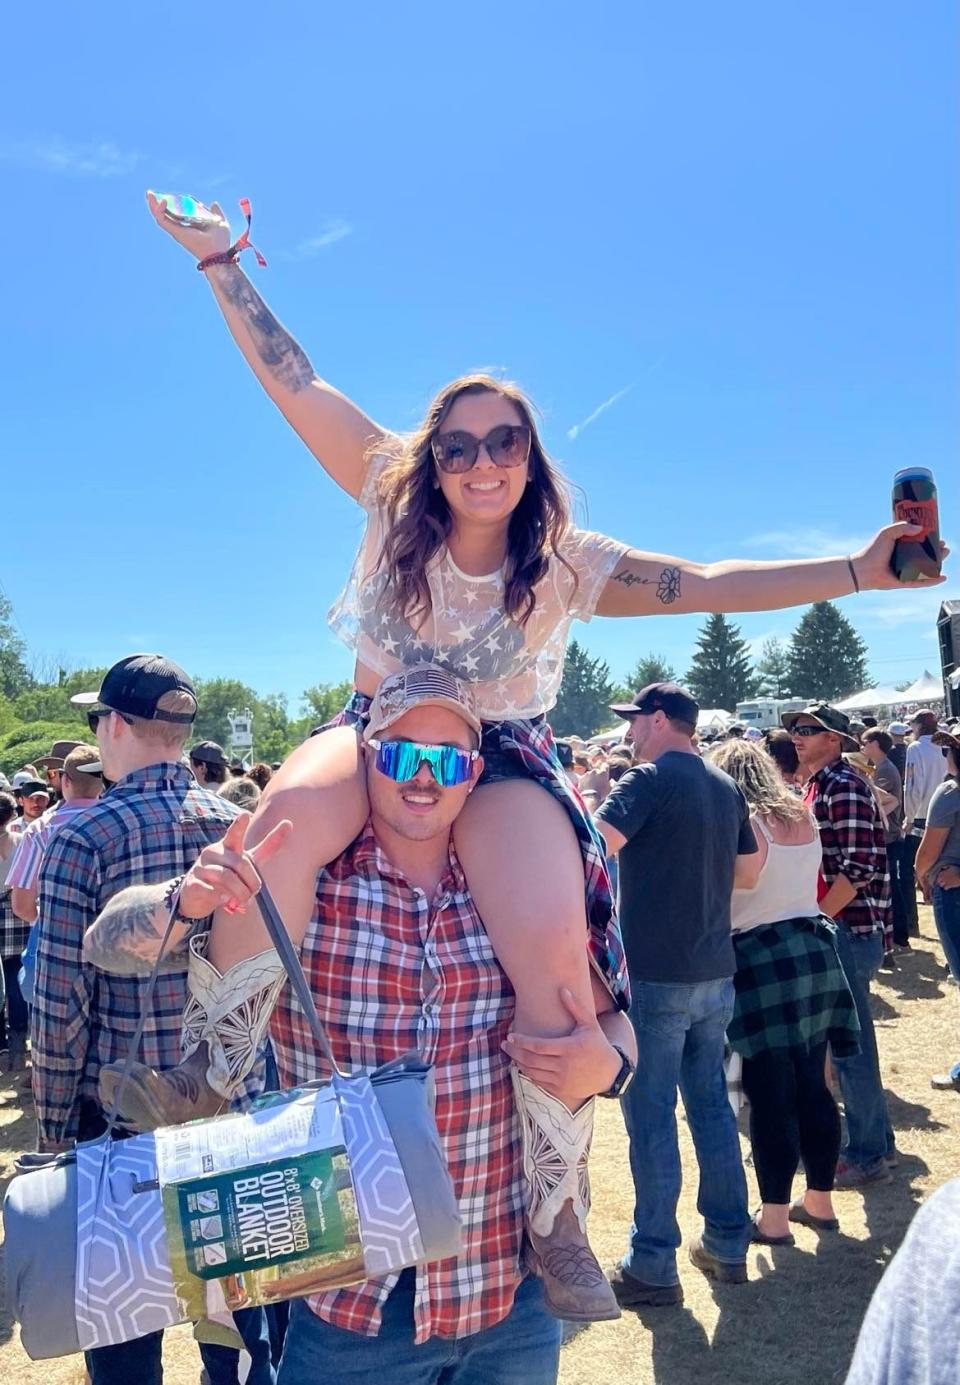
(152, 826)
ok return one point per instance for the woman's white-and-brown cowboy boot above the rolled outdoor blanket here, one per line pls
(224, 1026)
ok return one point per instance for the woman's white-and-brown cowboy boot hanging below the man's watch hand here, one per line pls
(556, 1149)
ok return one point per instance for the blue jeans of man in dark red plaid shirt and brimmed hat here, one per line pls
(869, 1132)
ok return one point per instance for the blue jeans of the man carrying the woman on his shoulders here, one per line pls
(523, 1350)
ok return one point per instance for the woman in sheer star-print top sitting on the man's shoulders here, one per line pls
(472, 562)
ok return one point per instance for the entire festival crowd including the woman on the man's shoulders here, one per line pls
(444, 876)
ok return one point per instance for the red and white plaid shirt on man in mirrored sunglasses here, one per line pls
(393, 972)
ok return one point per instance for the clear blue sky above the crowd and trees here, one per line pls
(715, 243)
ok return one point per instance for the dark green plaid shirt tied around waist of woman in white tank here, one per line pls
(792, 991)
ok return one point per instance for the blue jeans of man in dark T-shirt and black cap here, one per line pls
(681, 1033)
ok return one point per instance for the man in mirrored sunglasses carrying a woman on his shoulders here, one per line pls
(398, 959)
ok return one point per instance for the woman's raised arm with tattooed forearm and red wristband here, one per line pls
(339, 433)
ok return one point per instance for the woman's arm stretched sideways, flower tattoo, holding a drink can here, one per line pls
(649, 584)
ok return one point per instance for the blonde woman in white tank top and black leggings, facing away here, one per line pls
(793, 1002)
